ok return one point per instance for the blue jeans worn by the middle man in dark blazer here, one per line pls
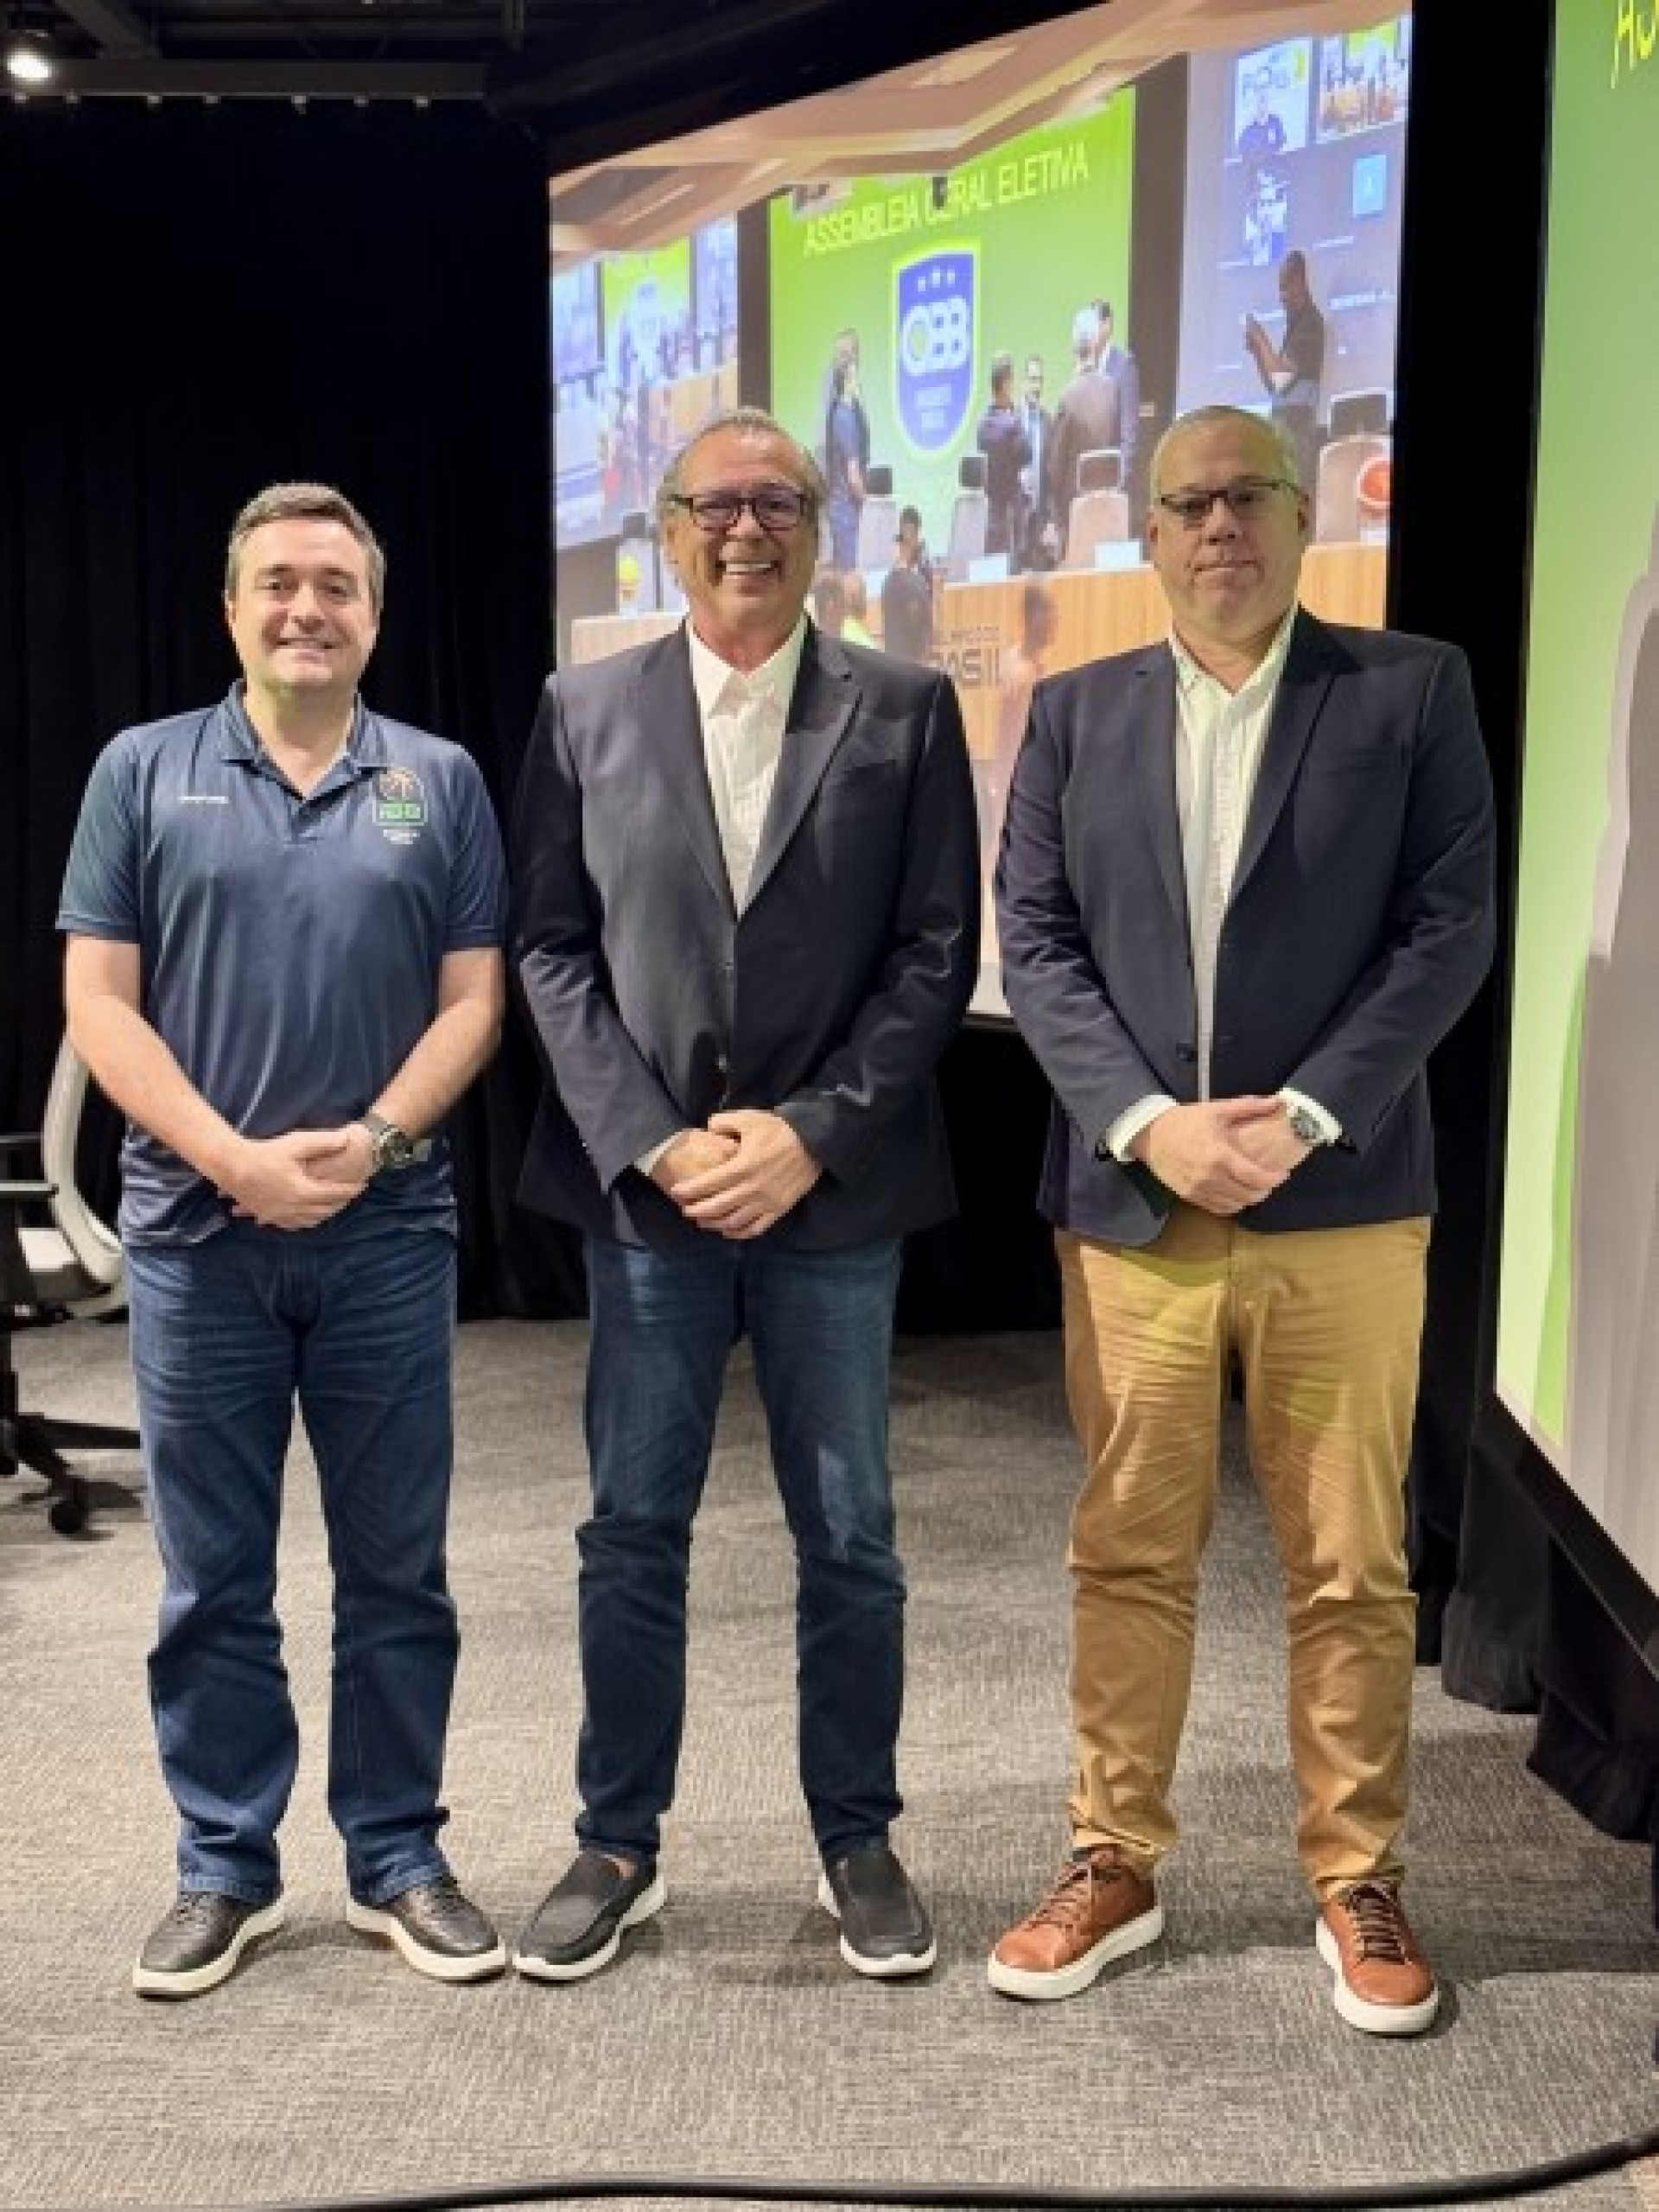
(662, 1328)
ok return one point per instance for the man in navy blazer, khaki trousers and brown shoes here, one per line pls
(1246, 886)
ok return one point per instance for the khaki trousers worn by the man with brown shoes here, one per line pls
(1326, 1328)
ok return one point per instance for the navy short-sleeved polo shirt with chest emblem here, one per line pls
(289, 946)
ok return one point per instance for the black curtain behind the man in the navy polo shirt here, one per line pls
(209, 300)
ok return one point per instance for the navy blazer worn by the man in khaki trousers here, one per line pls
(1359, 928)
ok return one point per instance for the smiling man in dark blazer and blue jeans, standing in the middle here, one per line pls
(747, 928)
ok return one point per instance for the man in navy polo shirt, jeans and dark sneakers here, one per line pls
(284, 921)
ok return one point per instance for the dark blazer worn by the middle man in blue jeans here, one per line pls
(828, 999)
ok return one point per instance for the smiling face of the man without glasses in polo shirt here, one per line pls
(302, 614)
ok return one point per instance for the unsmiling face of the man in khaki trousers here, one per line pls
(1229, 581)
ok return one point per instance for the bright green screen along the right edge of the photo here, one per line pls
(1578, 1300)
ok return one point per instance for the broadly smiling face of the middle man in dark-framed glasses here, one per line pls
(747, 585)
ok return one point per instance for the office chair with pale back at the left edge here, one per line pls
(70, 1269)
